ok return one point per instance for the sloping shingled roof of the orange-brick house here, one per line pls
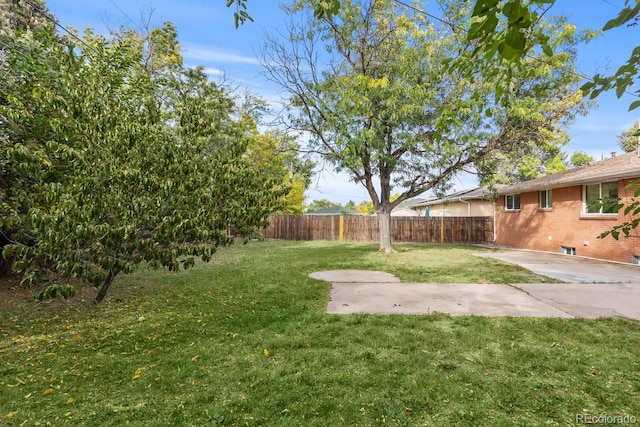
(618, 167)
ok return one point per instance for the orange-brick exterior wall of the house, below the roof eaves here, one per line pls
(563, 225)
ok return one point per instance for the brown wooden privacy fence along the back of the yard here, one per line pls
(366, 229)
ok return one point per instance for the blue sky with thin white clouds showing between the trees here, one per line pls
(208, 37)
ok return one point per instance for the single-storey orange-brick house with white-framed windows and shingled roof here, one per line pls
(555, 213)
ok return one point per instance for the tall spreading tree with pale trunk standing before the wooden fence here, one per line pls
(372, 88)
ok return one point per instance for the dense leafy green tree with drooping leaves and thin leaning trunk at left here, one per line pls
(112, 164)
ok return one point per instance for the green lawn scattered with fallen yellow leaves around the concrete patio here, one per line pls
(244, 340)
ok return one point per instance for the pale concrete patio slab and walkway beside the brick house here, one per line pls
(361, 291)
